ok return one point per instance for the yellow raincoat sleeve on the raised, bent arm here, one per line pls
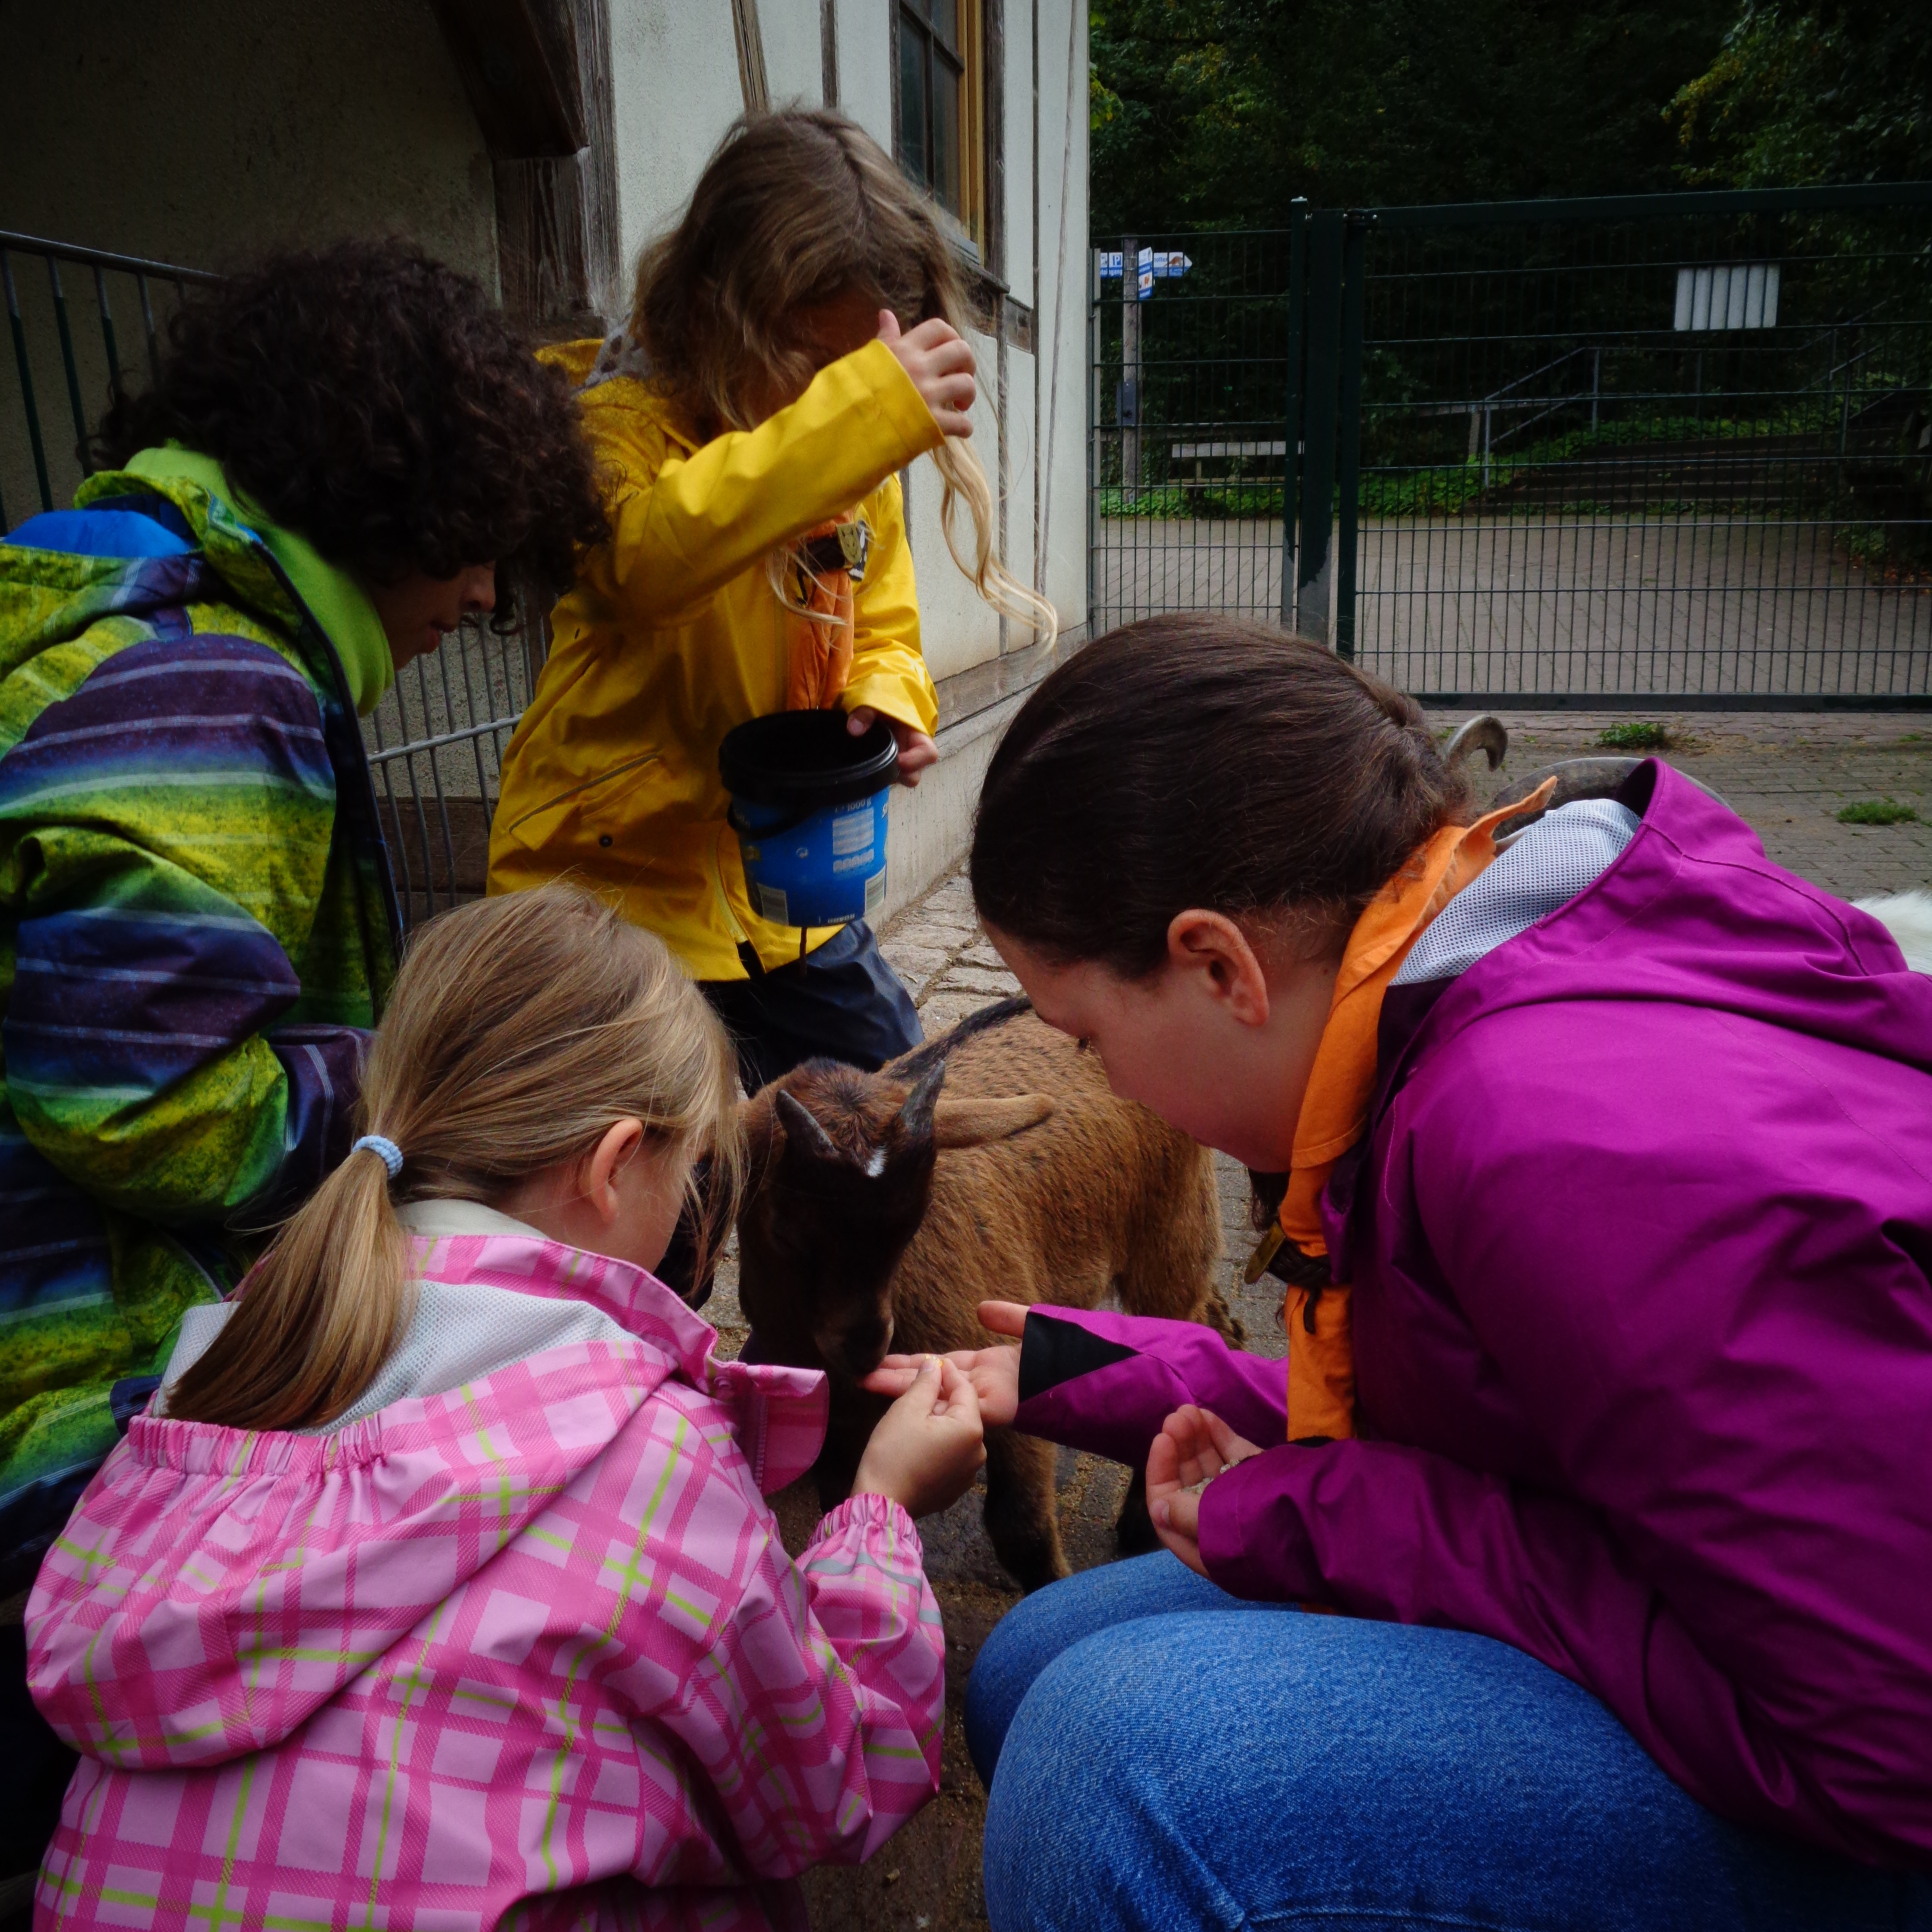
(708, 515)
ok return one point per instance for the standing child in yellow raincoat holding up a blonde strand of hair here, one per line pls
(793, 345)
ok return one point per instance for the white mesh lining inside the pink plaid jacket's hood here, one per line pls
(459, 1334)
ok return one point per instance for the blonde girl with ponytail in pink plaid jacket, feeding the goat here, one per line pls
(440, 1574)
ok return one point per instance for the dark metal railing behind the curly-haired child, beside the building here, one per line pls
(438, 739)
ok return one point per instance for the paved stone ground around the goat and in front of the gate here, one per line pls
(1788, 776)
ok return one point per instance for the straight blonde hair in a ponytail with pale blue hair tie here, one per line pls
(523, 1029)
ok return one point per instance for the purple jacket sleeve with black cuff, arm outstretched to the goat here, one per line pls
(1108, 1382)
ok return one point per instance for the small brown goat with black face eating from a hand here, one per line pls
(882, 1212)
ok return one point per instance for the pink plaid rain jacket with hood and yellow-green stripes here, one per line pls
(525, 1653)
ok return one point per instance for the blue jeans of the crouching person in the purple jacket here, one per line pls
(1162, 1755)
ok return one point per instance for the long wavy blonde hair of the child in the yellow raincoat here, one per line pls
(797, 210)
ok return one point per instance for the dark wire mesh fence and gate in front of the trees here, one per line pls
(1595, 453)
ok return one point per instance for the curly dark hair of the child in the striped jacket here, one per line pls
(380, 405)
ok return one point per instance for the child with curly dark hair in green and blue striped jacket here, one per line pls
(196, 917)
